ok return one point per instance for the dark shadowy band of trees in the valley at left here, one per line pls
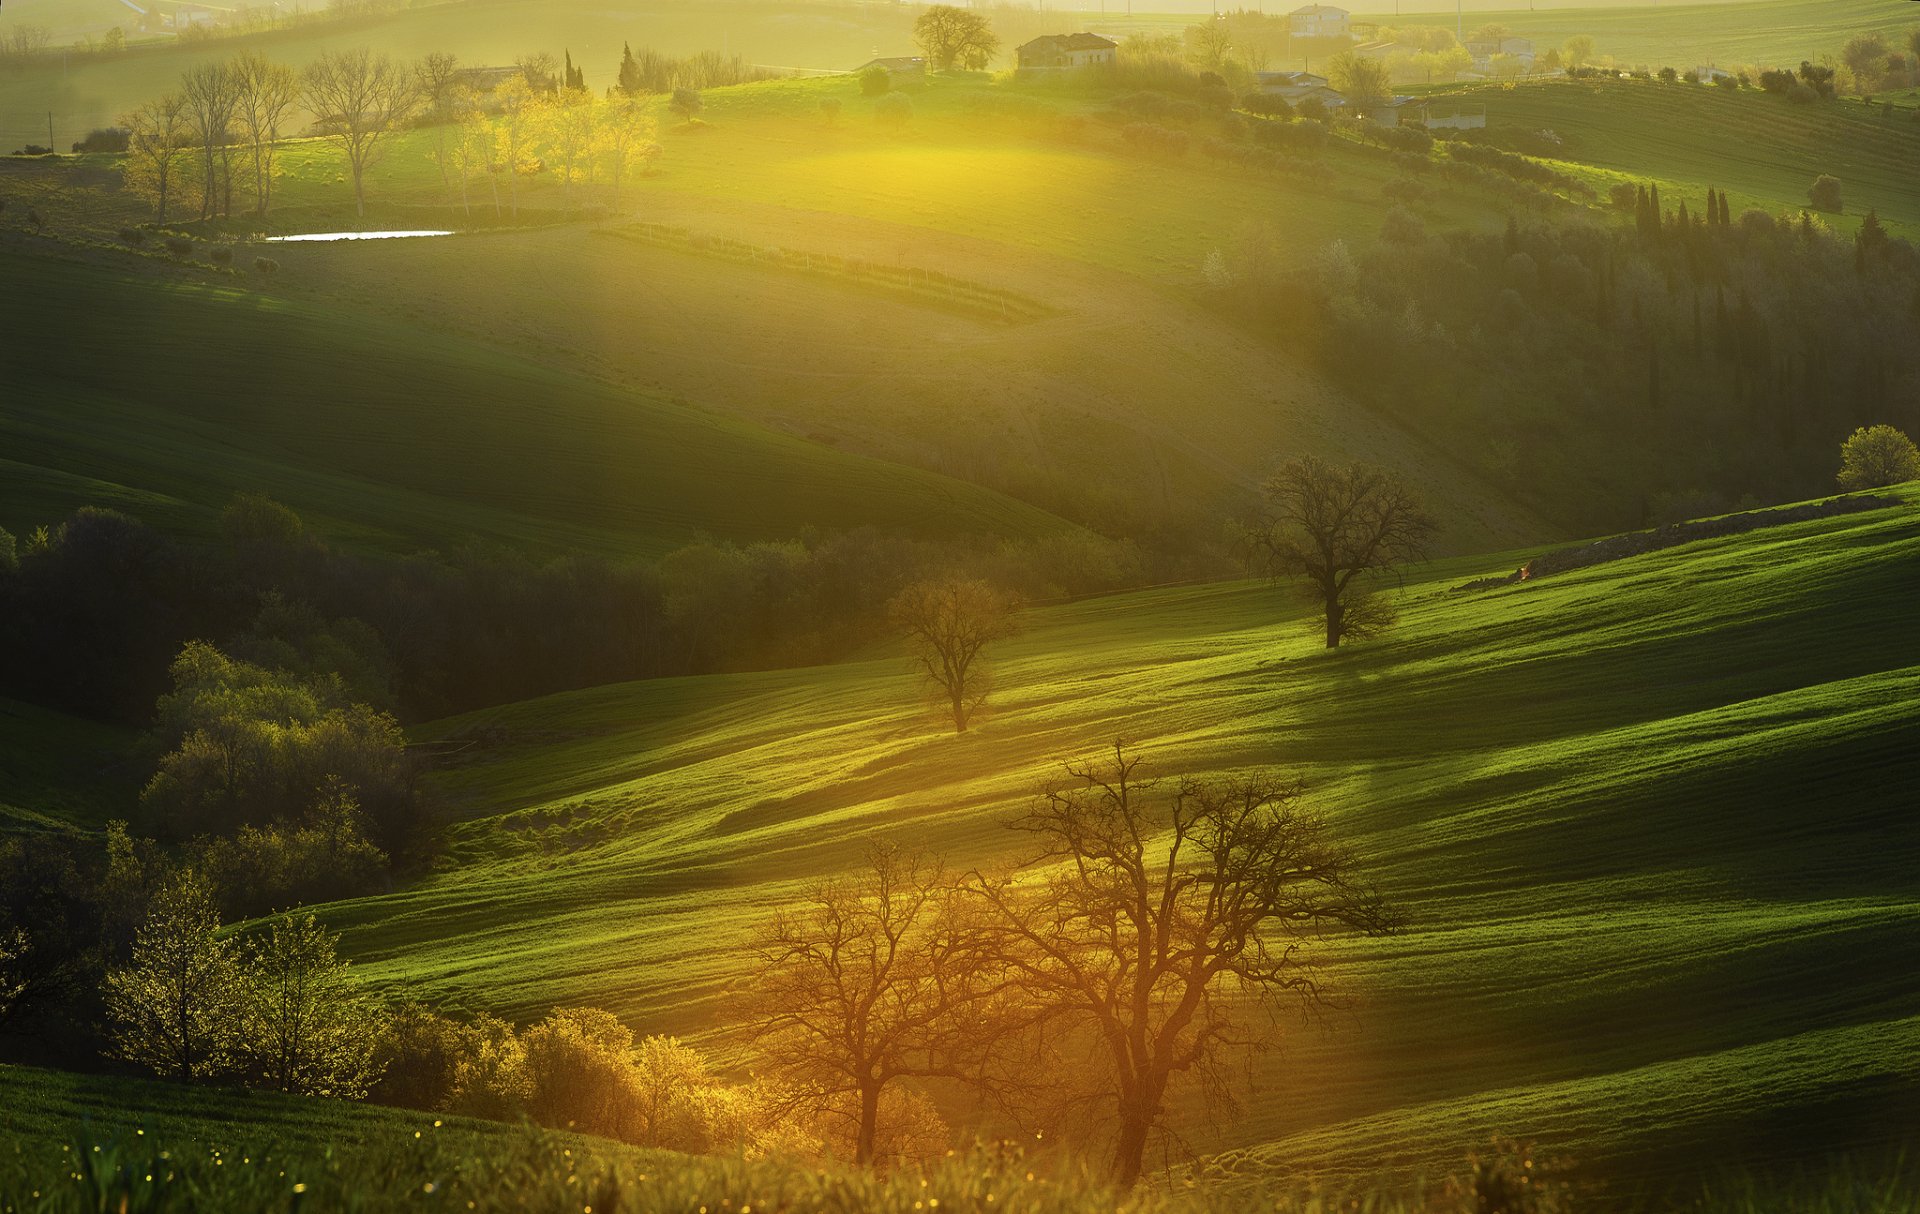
(101, 606)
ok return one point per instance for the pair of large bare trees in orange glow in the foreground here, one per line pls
(1124, 956)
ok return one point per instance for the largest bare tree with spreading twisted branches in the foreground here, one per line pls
(1155, 917)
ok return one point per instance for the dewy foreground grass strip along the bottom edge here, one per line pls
(85, 1146)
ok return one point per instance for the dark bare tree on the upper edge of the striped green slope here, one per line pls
(1333, 527)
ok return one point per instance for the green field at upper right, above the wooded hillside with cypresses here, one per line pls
(1764, 151)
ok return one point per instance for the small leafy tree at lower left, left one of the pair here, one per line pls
(176, 1008)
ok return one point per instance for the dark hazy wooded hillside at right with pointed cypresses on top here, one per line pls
(1614, 376)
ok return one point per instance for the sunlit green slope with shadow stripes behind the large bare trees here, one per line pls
(1652, 825)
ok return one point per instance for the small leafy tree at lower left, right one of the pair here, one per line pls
(308, 1027)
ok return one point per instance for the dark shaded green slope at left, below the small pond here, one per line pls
(166, 399)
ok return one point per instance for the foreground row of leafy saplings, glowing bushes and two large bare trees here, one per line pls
(1136, 946)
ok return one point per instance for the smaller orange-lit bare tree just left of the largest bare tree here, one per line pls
(855, 994)
